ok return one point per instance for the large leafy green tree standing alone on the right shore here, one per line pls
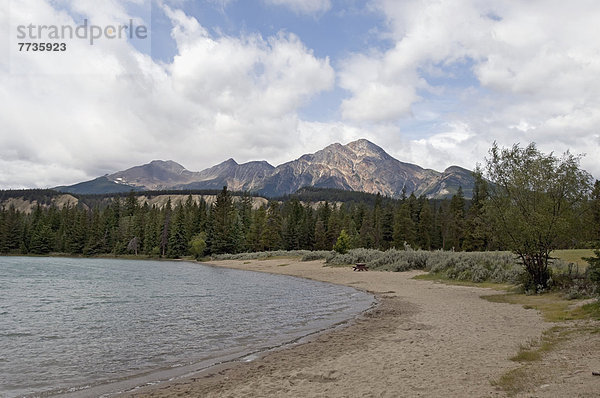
(535, 202)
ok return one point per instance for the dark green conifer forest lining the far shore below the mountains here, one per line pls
(123, 226)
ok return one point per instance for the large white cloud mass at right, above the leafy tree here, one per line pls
(536, 64)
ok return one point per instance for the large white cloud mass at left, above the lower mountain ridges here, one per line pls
(220, 97)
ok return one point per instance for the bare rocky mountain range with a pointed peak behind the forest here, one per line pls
(357, 166)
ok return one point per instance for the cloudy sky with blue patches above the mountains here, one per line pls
(432, 82)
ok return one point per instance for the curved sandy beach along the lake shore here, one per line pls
(424, 339)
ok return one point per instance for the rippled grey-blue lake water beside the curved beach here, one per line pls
(84, 325)
